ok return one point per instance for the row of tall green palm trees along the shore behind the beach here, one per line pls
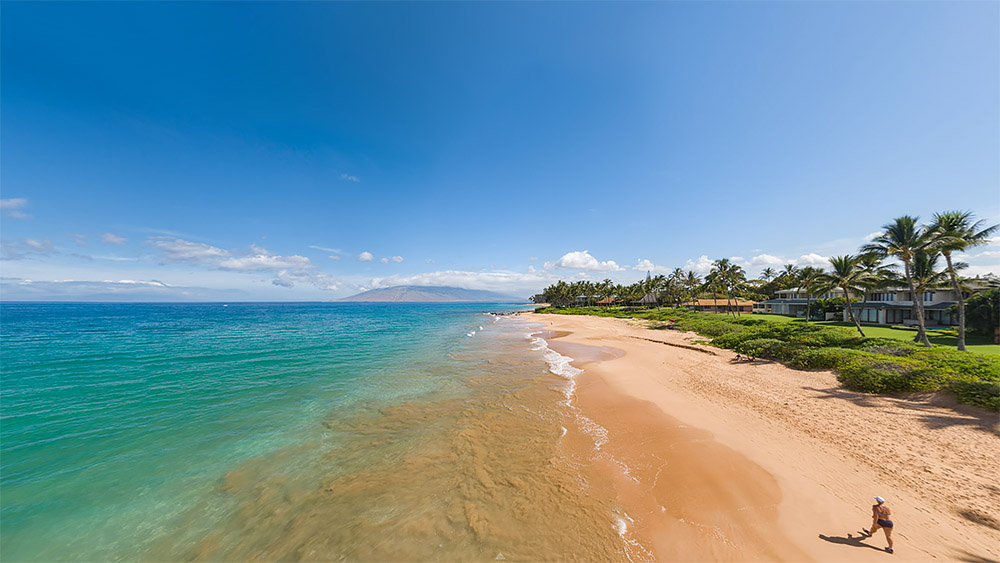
(918, 249)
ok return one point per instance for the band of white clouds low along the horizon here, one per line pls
(244, 273)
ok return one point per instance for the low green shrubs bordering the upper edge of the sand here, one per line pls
(871, 365)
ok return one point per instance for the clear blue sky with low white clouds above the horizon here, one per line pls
(308, 151)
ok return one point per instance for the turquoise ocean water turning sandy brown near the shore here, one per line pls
(294, 431)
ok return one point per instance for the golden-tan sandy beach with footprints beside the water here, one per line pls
(713, 459)
